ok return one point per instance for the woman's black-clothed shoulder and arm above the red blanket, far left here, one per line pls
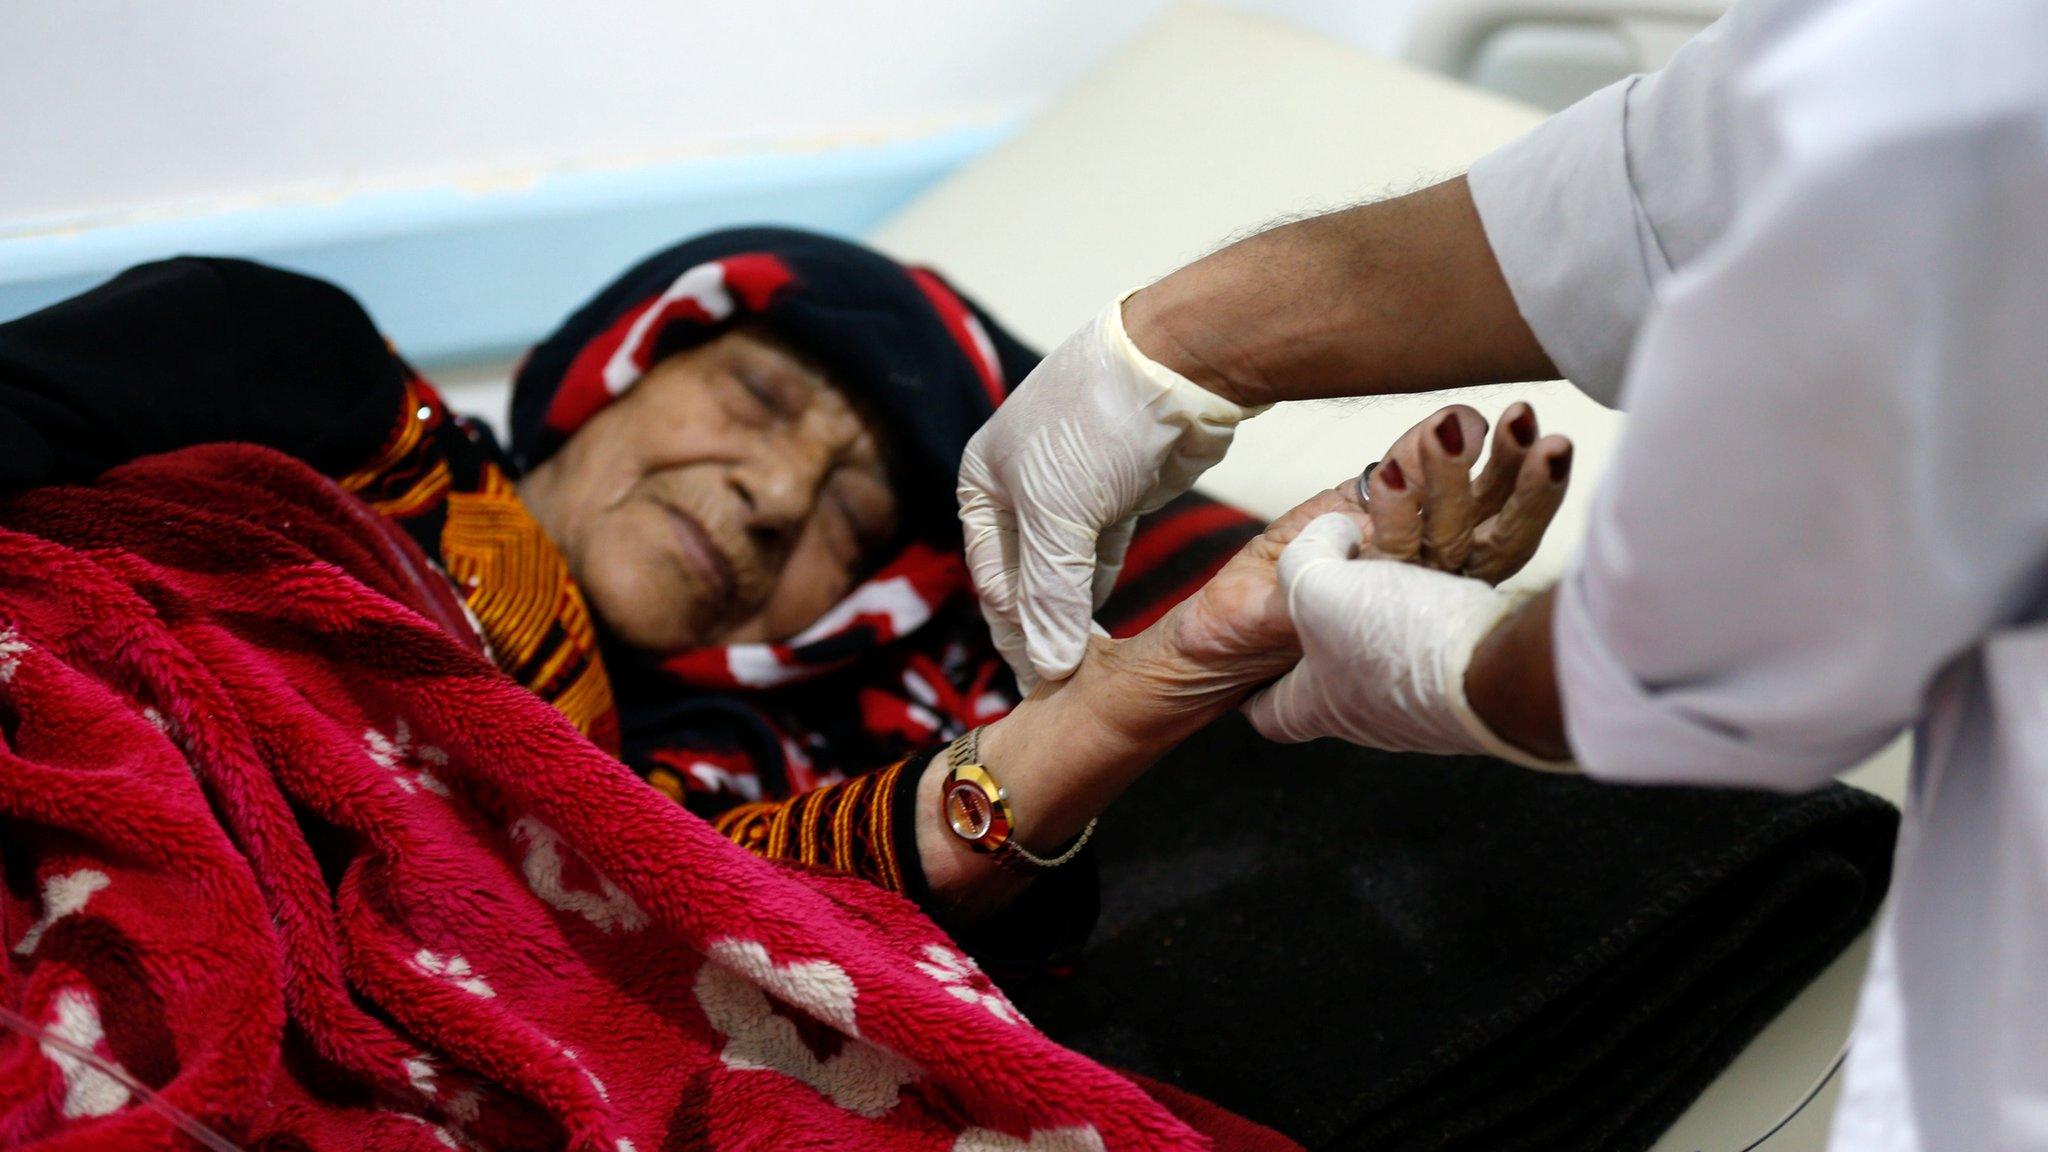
(194, 352)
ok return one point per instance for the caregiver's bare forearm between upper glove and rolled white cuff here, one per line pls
(1394, 296)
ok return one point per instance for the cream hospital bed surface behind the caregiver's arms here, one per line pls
(1209, 126)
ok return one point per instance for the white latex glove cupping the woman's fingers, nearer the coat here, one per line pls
(1385, 649)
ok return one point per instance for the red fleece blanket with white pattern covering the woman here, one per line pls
(288, 860)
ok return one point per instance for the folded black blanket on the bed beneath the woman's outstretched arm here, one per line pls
(1420, 954)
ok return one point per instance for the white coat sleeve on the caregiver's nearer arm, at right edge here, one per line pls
(1832, 487)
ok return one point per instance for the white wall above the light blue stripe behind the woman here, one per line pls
(122, 108)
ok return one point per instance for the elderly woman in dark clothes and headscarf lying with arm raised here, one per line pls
(724, 538)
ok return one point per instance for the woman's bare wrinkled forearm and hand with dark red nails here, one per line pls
(1078, 743)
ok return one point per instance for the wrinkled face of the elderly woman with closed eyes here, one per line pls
(732, 495)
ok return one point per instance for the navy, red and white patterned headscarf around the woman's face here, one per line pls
(904, 659)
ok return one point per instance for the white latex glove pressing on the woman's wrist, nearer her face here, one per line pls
(1054, 485)
